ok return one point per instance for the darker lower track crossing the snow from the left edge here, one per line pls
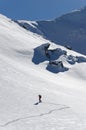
(28, 117)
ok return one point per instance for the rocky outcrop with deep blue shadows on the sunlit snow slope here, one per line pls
(55, 57)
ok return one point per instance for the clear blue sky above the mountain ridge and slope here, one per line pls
(38, 9)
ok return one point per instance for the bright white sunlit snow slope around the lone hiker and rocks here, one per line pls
(63, 92)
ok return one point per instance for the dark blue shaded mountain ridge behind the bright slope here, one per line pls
(69, 29)
